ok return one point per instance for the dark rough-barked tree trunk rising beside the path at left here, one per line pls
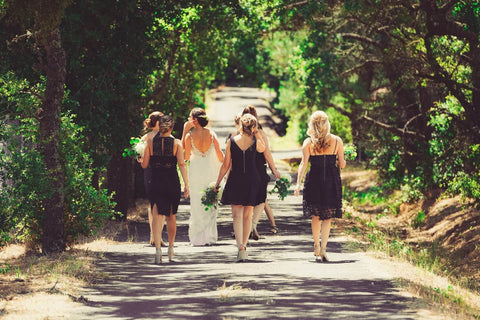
(53, 235)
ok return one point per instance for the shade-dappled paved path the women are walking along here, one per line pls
(280, 280)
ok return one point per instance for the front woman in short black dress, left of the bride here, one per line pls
(162, 154)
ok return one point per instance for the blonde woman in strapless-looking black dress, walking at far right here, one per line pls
(322, 193)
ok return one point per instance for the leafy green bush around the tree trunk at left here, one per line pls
(23, 183)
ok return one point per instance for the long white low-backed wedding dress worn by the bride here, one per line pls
(203, 171)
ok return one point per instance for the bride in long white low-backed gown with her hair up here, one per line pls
(206, 157)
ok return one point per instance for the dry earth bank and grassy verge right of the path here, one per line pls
(442, 248)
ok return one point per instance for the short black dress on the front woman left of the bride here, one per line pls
(162, 184)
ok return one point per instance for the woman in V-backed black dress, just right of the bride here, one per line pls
(241, 189)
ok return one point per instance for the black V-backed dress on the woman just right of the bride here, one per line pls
(243, 182)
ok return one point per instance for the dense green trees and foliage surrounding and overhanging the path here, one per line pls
(399, 78)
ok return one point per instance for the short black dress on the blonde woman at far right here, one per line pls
(322, 192)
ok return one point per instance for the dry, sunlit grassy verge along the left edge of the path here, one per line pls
(50, 285)
